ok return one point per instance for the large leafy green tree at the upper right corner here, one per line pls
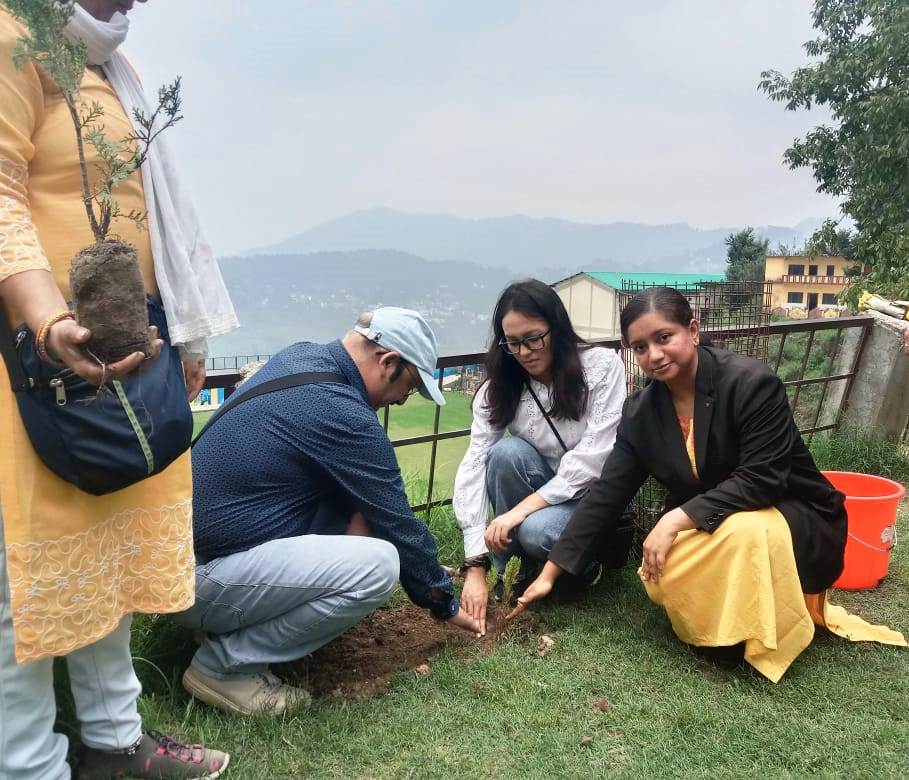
(861, 74)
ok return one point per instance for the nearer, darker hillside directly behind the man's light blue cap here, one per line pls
(281, 299)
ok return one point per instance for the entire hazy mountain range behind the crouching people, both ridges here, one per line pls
(311, 286)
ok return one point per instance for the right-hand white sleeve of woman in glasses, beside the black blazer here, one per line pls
(582, 464)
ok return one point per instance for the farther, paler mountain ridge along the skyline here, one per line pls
(524, 244)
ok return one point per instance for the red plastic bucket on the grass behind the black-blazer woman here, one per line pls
(871, 506)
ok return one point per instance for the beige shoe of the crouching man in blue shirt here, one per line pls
(262, 694)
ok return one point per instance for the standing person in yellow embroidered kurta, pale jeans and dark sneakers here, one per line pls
(75, 566)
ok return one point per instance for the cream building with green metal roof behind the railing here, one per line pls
(592, 303)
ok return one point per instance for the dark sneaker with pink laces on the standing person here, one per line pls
(154, 755)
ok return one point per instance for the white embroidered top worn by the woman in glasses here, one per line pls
(589, 441)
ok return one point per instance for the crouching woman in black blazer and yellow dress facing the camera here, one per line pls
(750, 521)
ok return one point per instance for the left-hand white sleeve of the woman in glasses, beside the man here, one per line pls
(470, 500)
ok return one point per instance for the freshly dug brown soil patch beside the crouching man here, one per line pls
(361, 661)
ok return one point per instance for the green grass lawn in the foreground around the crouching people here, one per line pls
(841, 710)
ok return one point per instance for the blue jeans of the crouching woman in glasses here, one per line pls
(514, 470)
